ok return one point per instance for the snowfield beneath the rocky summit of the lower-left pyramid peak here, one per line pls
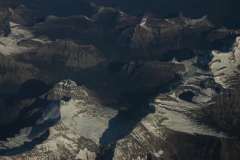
(67, 122)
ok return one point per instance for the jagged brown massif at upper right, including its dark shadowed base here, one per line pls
(161, 35)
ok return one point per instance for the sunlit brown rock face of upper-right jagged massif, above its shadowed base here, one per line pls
(166, 31)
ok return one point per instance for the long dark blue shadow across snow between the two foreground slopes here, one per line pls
(119, 127)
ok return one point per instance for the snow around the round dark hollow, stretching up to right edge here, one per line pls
(180, 114)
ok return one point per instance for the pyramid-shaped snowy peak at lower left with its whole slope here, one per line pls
(74, 126)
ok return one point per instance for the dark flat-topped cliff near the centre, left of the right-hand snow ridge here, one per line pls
(144, 76)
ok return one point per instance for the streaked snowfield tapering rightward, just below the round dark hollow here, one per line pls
(178, 115)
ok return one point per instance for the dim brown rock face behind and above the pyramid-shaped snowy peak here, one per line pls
(70, 54)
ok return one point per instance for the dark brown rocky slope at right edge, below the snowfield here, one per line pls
(222, 113)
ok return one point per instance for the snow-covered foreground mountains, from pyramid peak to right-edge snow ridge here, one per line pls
(75, 126)
